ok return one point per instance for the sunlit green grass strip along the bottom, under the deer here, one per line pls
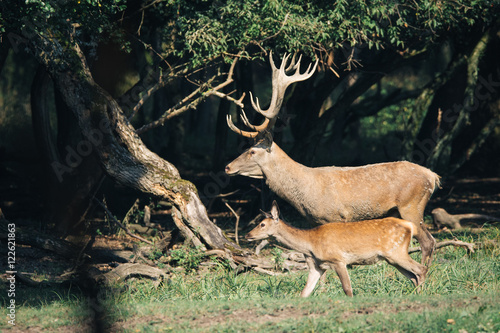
(461, 294)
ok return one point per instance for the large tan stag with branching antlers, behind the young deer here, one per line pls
(333, 194)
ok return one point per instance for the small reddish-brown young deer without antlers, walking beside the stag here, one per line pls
(342, 244)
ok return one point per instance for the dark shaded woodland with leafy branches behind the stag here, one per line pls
(396, 81)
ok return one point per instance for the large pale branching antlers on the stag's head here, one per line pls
(280, 81)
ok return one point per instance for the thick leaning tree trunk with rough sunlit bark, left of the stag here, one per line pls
(122, 154)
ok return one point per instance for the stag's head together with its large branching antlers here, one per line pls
(249, 163)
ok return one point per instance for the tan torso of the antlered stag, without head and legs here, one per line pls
(340, 194)
